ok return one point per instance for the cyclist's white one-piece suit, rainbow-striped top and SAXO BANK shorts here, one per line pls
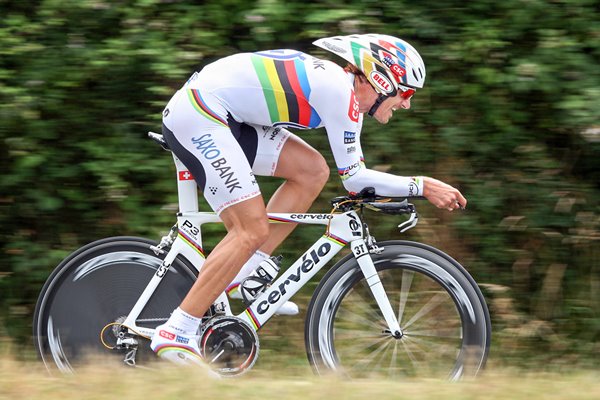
(256, 96)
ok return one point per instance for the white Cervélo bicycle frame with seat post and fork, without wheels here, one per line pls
(343, 228)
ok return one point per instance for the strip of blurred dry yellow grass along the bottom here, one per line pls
(28, 380)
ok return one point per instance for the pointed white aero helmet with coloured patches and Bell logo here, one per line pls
(388, 63)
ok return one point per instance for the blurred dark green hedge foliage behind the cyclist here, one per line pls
(510, 115)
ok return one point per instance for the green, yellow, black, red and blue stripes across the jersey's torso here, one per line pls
(286, 89)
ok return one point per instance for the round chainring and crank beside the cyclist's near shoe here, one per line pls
(229, 345)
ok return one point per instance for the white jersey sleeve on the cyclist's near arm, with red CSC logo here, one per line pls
(343, 123)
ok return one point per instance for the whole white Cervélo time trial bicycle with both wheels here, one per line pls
(392, 308)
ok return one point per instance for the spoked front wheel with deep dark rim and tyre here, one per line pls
(445, 322)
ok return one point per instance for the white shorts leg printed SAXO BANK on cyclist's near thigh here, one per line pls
(196, 128)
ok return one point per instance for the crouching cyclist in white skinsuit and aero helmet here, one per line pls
(228, 123)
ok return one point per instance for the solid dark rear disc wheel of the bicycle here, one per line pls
(96, 285)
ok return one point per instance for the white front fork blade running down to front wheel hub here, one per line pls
(363, 257)
